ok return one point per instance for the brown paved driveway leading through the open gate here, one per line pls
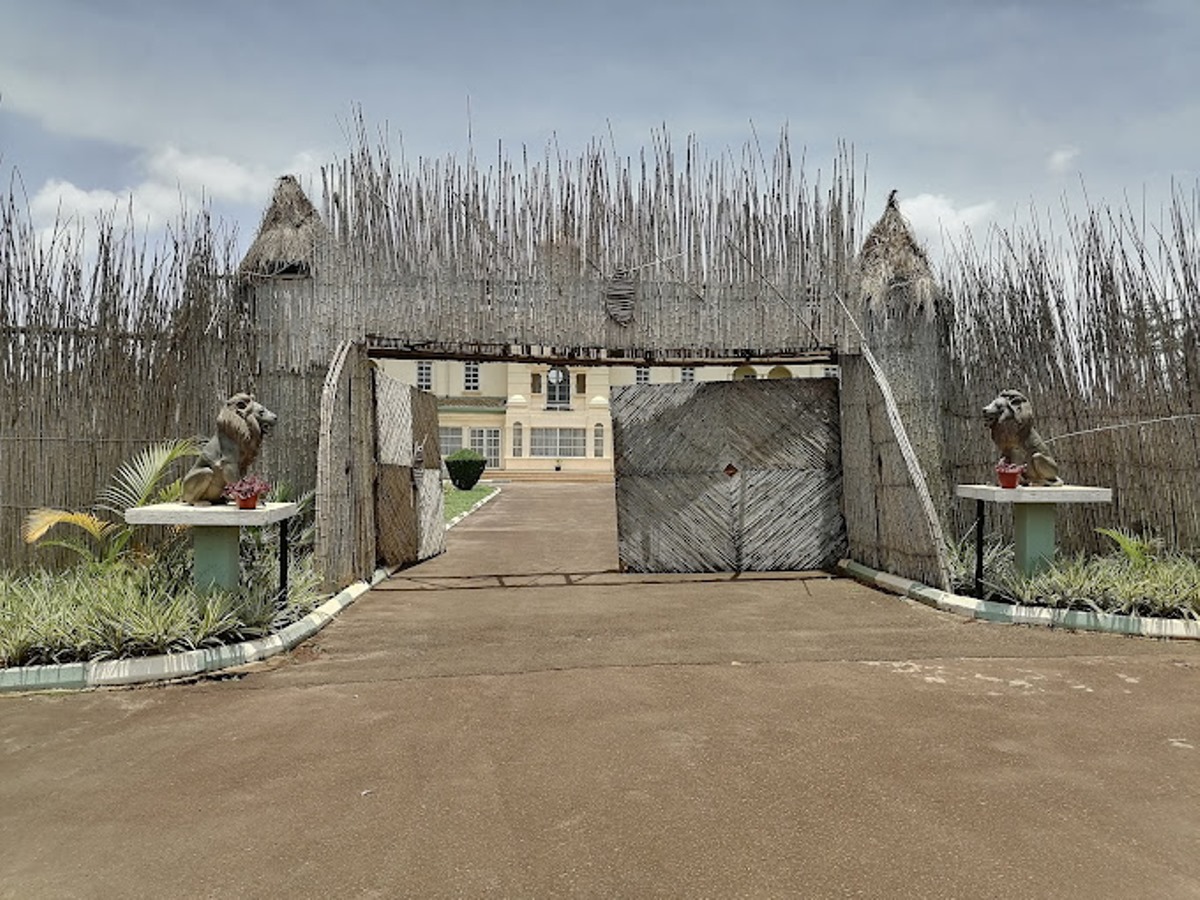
(518, 719)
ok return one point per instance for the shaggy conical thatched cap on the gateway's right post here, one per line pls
(895, 272)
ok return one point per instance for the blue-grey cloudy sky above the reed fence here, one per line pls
(977, 112)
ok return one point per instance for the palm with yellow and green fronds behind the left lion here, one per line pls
(139, 483)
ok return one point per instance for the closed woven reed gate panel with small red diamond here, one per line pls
(729, 476)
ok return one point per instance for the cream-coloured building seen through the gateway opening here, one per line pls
(541, 418)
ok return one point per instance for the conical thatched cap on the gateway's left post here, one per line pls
(289, 236)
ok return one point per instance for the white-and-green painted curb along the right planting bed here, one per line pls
(1009, 614)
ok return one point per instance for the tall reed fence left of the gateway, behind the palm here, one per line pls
(109, 345)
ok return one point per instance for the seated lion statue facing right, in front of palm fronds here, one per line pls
(242, 425)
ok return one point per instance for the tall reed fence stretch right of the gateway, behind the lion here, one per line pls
(1097, 326)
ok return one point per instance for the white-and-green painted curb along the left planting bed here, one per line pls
(79, 676)
